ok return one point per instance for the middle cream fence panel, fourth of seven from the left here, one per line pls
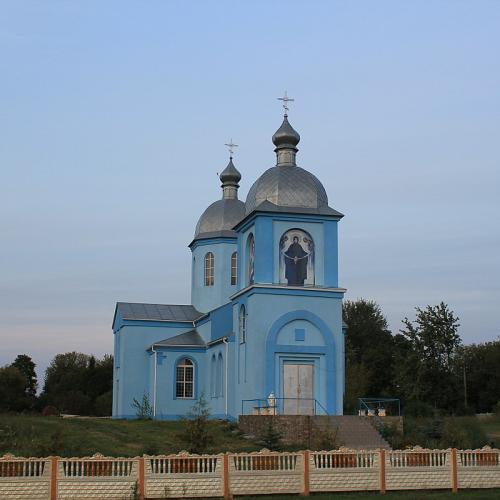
(266, 472)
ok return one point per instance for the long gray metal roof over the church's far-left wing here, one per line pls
(157, 312)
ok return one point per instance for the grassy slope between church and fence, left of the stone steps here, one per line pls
(24, 435)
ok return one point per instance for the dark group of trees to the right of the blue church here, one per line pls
(425, 364)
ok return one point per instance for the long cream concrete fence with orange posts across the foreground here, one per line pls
(265, 472)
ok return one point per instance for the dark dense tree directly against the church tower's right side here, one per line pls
(368, 352)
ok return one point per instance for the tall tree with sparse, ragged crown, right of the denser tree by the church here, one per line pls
(426, 352)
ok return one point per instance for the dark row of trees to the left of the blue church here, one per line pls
(74, 383)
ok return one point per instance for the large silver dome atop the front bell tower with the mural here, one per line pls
(287, 187)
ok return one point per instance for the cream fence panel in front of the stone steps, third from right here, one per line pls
(344, 470)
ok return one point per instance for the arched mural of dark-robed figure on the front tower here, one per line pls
(297, 258)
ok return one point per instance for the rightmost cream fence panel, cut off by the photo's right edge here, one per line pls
(479, 468)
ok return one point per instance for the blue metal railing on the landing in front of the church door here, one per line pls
(282, 406)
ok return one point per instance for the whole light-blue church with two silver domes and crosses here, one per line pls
(263, 333)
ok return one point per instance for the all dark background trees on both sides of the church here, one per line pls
(425, 365)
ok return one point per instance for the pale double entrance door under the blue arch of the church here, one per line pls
(298, 381)
